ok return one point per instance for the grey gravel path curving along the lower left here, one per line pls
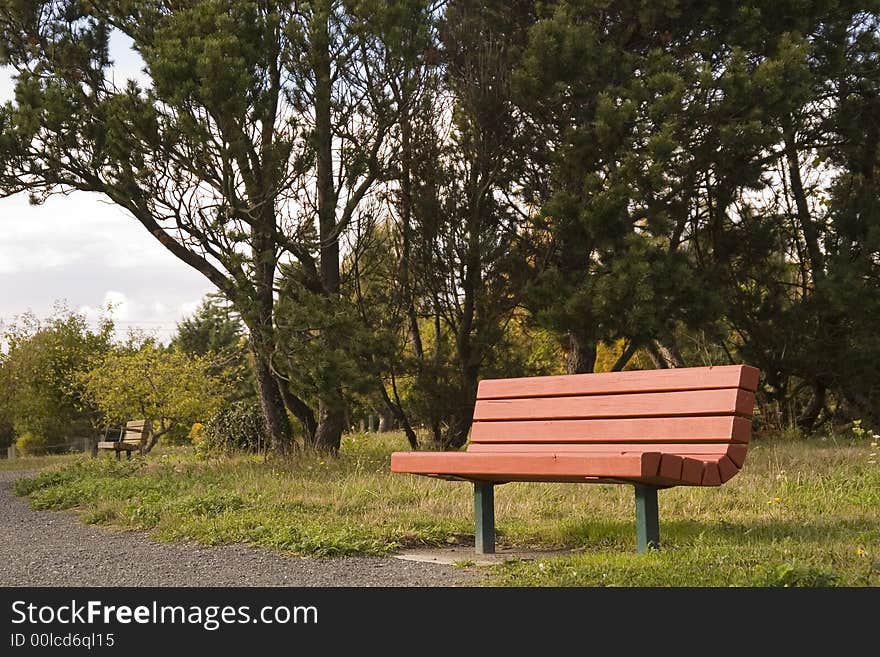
(45, 548)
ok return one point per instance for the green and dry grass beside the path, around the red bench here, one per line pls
(801, 513)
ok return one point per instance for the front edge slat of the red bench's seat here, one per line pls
(466, 464)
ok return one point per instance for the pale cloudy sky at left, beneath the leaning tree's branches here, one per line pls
(84, 252)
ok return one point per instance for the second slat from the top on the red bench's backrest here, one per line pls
(665, 404)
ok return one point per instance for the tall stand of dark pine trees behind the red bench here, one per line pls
(391, 195)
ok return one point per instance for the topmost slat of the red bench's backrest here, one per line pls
(688, 378)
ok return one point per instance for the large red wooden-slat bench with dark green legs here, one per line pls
(653, 429)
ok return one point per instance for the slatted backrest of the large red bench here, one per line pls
(703, 412)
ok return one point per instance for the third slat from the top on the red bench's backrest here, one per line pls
(723, 428)
